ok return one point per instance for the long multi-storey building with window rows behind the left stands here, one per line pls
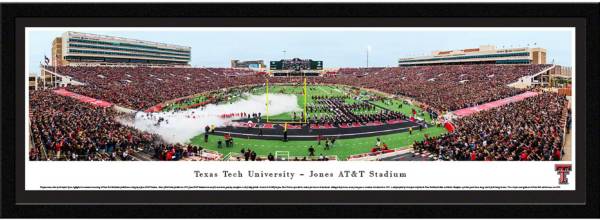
(76, 49)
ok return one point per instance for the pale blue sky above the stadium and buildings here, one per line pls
(336, 47)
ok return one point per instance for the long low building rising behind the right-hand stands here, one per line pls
(485, 54)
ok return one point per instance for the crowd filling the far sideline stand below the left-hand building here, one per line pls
(139, 88)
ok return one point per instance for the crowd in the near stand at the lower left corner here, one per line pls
(63, 128)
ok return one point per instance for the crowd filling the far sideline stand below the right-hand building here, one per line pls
(444, 87)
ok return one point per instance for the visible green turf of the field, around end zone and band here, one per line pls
(343, 147)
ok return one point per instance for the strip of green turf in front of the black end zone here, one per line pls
(343, 147)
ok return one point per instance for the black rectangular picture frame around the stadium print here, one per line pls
(585, 17)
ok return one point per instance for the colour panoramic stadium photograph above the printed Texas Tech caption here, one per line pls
(299, 94)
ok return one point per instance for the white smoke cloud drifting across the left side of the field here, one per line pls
(184, 125)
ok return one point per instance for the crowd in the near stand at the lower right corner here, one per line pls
(526, 130)
